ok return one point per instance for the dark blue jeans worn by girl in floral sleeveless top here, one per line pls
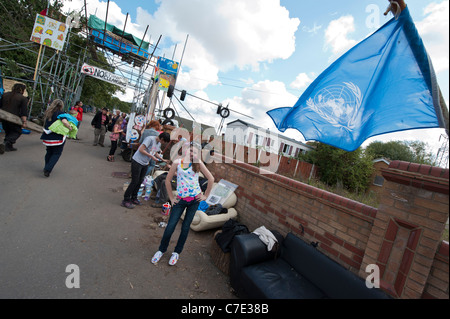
(175, 215)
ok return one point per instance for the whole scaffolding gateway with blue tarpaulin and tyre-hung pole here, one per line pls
(57, 75)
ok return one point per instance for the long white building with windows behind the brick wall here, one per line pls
(243, 133)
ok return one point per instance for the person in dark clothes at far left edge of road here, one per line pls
(13, 102)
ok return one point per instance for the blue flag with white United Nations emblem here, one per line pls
(384, 84)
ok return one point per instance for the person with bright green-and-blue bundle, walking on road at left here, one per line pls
(54, 142)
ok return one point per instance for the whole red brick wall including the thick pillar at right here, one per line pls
(401, 237)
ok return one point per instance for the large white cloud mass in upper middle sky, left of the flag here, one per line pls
(223, 34)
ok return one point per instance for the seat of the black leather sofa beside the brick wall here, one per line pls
(276, 279)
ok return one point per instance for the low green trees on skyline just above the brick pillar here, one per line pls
(414, 152)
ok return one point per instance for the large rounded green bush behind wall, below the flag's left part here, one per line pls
(352, 170)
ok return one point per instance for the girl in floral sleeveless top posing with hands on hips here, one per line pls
(189, 195)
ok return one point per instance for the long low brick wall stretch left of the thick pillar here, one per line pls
(340, 226)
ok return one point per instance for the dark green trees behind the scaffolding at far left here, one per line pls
(17, 20)
